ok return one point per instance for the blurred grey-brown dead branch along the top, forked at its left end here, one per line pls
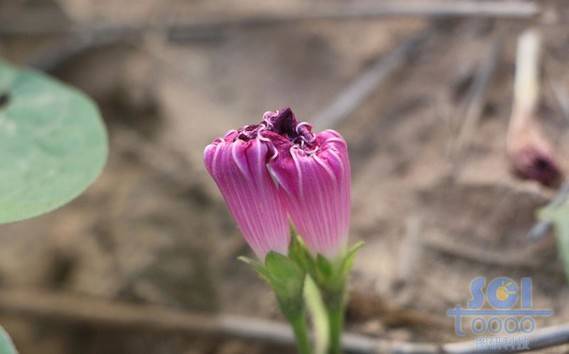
(80, 38)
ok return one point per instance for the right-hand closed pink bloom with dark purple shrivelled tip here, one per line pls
(313, 171)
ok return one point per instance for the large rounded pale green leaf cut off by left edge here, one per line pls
(53, 143)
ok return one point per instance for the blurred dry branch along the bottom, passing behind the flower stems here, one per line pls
(65, 308)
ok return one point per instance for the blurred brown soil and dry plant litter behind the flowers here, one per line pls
(422, 91)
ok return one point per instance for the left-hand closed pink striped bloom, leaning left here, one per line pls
(237, 163)
